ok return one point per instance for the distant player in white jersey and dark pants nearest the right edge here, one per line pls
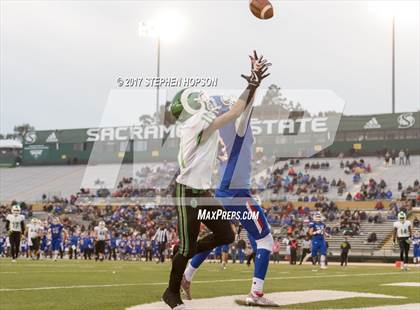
(402, 234)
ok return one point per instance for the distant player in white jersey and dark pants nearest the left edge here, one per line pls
(15, 225)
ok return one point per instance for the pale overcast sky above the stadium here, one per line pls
(60, 60)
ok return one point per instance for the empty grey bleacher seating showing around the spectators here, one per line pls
(29, 184)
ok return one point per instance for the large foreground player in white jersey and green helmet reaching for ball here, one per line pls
(197, 157)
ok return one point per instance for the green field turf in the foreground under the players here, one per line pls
(116, 285)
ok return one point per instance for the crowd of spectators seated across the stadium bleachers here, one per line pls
(135, 225)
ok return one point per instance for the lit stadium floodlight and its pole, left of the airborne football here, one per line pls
(167, 27)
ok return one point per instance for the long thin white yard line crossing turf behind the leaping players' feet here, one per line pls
(319, 276)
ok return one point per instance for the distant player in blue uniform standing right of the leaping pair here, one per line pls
(317, 231)
